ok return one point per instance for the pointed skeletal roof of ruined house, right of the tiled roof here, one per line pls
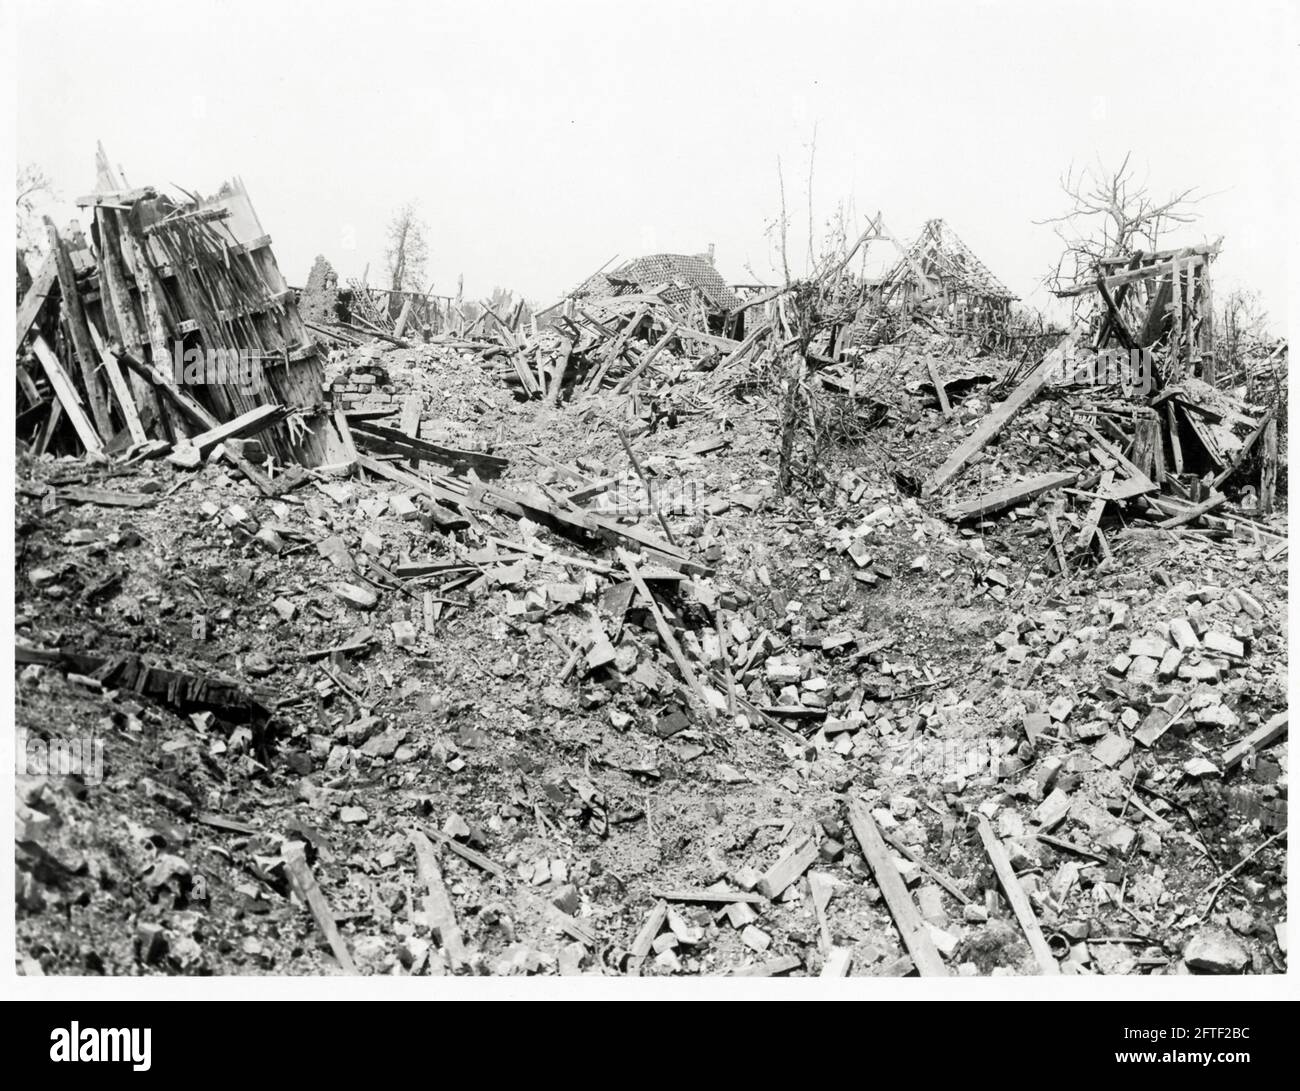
(939, 275)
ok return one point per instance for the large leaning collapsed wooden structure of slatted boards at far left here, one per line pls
(171, 322)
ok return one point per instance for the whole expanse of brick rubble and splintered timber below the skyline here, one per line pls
(625, 644)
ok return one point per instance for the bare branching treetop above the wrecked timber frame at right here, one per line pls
(1111, 214)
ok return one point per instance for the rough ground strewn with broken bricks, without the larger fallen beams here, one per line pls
(943, 674)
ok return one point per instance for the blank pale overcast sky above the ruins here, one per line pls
(541, 140)
